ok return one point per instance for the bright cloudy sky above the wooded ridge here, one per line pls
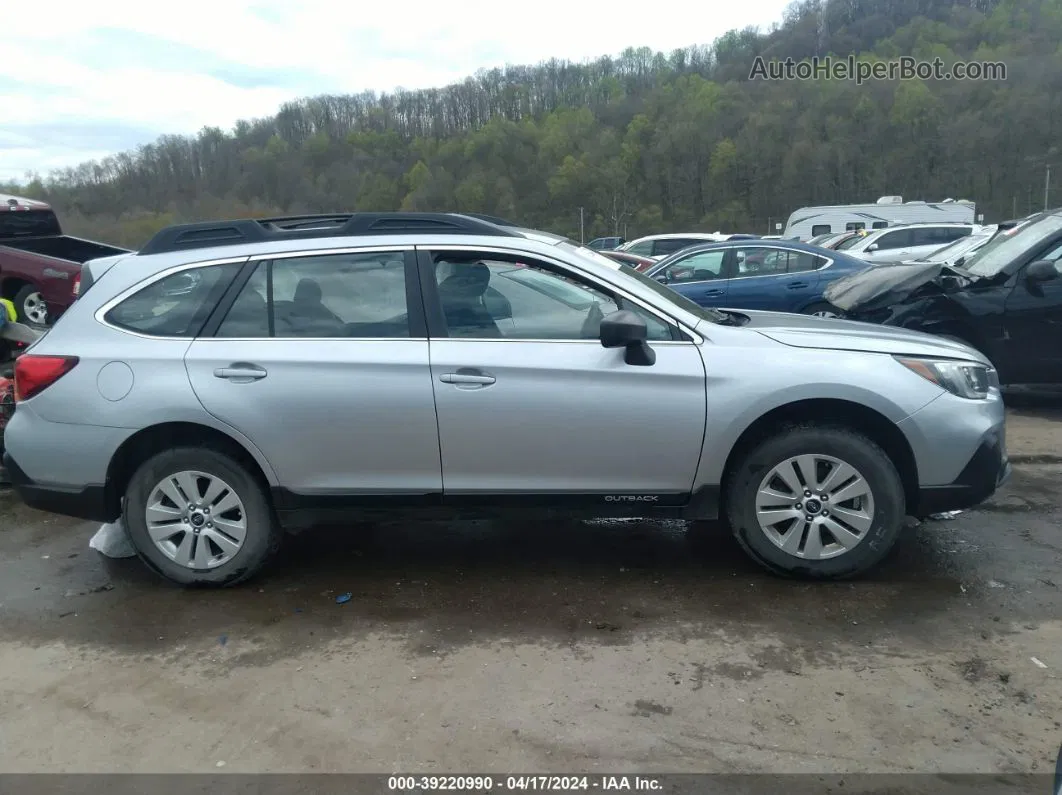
(83, 80)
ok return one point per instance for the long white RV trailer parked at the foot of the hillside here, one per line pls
(810, 222)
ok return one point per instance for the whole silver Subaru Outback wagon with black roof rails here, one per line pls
(237, 381)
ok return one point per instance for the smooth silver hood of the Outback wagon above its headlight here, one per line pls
(828, 334)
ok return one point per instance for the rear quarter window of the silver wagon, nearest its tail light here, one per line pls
(178, 305)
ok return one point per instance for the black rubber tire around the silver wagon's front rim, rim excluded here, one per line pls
(868, 459)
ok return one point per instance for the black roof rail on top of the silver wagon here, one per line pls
(210, 234)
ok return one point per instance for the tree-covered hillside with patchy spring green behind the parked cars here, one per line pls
(646, 142)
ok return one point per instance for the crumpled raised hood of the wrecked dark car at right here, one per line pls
(883, 286)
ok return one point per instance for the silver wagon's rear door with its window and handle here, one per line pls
(322, 366)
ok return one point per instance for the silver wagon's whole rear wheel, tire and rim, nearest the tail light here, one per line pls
(199, 517)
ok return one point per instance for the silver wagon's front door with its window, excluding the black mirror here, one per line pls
(532, 404)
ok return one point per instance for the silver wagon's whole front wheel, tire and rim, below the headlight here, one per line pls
(817, 503)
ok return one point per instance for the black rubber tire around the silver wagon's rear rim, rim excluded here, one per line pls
(263, 538)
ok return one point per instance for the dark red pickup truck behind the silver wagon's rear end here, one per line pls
(40, 266)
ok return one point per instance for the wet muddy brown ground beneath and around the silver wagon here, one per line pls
(557, 648)
